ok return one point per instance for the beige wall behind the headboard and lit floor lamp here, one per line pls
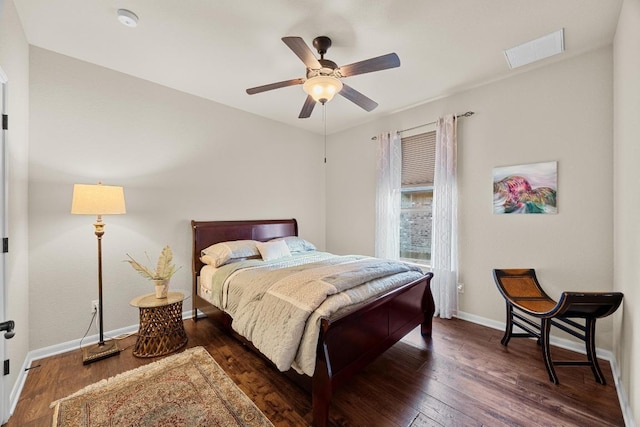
(178, 157)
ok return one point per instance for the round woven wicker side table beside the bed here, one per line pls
(161, 329)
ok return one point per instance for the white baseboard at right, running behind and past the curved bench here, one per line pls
(576, 347)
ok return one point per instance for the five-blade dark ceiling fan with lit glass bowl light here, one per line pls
(323, 76)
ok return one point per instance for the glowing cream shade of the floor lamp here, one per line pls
(97, 199)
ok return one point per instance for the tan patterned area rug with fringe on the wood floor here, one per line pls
(187, 389)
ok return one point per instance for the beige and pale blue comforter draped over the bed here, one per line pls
(277, 305)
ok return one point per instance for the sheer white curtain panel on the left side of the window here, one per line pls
(388, 196)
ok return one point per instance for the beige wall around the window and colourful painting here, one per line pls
(561, 112)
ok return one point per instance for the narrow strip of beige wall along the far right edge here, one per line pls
(627, 198)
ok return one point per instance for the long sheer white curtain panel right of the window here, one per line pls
(444, 243)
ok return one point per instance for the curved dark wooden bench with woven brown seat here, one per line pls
(525, 299)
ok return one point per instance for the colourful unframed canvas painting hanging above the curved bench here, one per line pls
(526, 189)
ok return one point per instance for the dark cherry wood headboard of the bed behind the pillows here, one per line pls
(207, 233)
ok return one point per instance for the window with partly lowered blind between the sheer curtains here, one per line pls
(418, 162)
